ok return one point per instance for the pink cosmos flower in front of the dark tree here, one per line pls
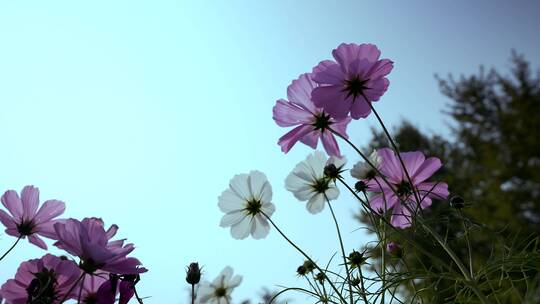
(405, 203)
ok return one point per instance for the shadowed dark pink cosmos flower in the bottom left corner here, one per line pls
(45, 280)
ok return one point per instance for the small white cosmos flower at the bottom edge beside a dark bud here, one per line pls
(219, 291)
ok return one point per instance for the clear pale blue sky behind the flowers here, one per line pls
(140, 112)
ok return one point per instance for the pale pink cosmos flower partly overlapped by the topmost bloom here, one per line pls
(311, 123)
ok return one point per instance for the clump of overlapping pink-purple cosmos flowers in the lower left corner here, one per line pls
(95, 269)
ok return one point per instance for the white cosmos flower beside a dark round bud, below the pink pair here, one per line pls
(308, 183)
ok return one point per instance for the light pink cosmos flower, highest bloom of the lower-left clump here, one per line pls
(25, 219)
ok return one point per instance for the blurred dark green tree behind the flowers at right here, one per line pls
(493, 162)
